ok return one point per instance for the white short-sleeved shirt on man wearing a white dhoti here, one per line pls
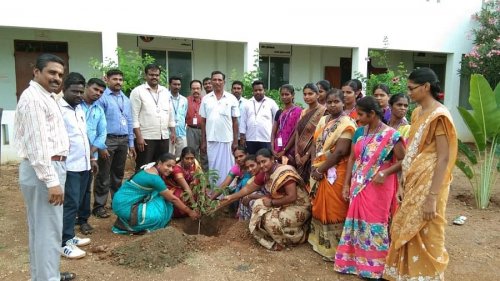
(219, 116)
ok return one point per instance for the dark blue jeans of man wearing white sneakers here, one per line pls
(74, 191)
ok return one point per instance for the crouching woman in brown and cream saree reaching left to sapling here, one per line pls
(280, 219)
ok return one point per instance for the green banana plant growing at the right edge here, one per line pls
(484, 124)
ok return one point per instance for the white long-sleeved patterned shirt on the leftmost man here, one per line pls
(39, 132)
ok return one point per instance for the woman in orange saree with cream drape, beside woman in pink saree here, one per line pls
(332, 142)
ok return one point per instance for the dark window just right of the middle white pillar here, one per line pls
(275, 71)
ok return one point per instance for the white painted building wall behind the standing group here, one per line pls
(411, 25)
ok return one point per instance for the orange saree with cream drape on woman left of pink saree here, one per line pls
(329, 209)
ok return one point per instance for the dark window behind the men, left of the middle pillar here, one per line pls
(176, 64)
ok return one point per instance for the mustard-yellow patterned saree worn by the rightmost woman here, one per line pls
(417, 249)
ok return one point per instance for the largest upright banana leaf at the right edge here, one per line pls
(484, 106)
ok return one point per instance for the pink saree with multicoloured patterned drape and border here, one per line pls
(365, 238)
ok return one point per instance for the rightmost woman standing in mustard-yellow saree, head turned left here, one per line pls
(417, 249)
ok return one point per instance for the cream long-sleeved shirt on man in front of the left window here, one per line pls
(152, 112)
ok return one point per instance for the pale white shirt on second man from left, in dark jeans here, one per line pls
(79, 148)
